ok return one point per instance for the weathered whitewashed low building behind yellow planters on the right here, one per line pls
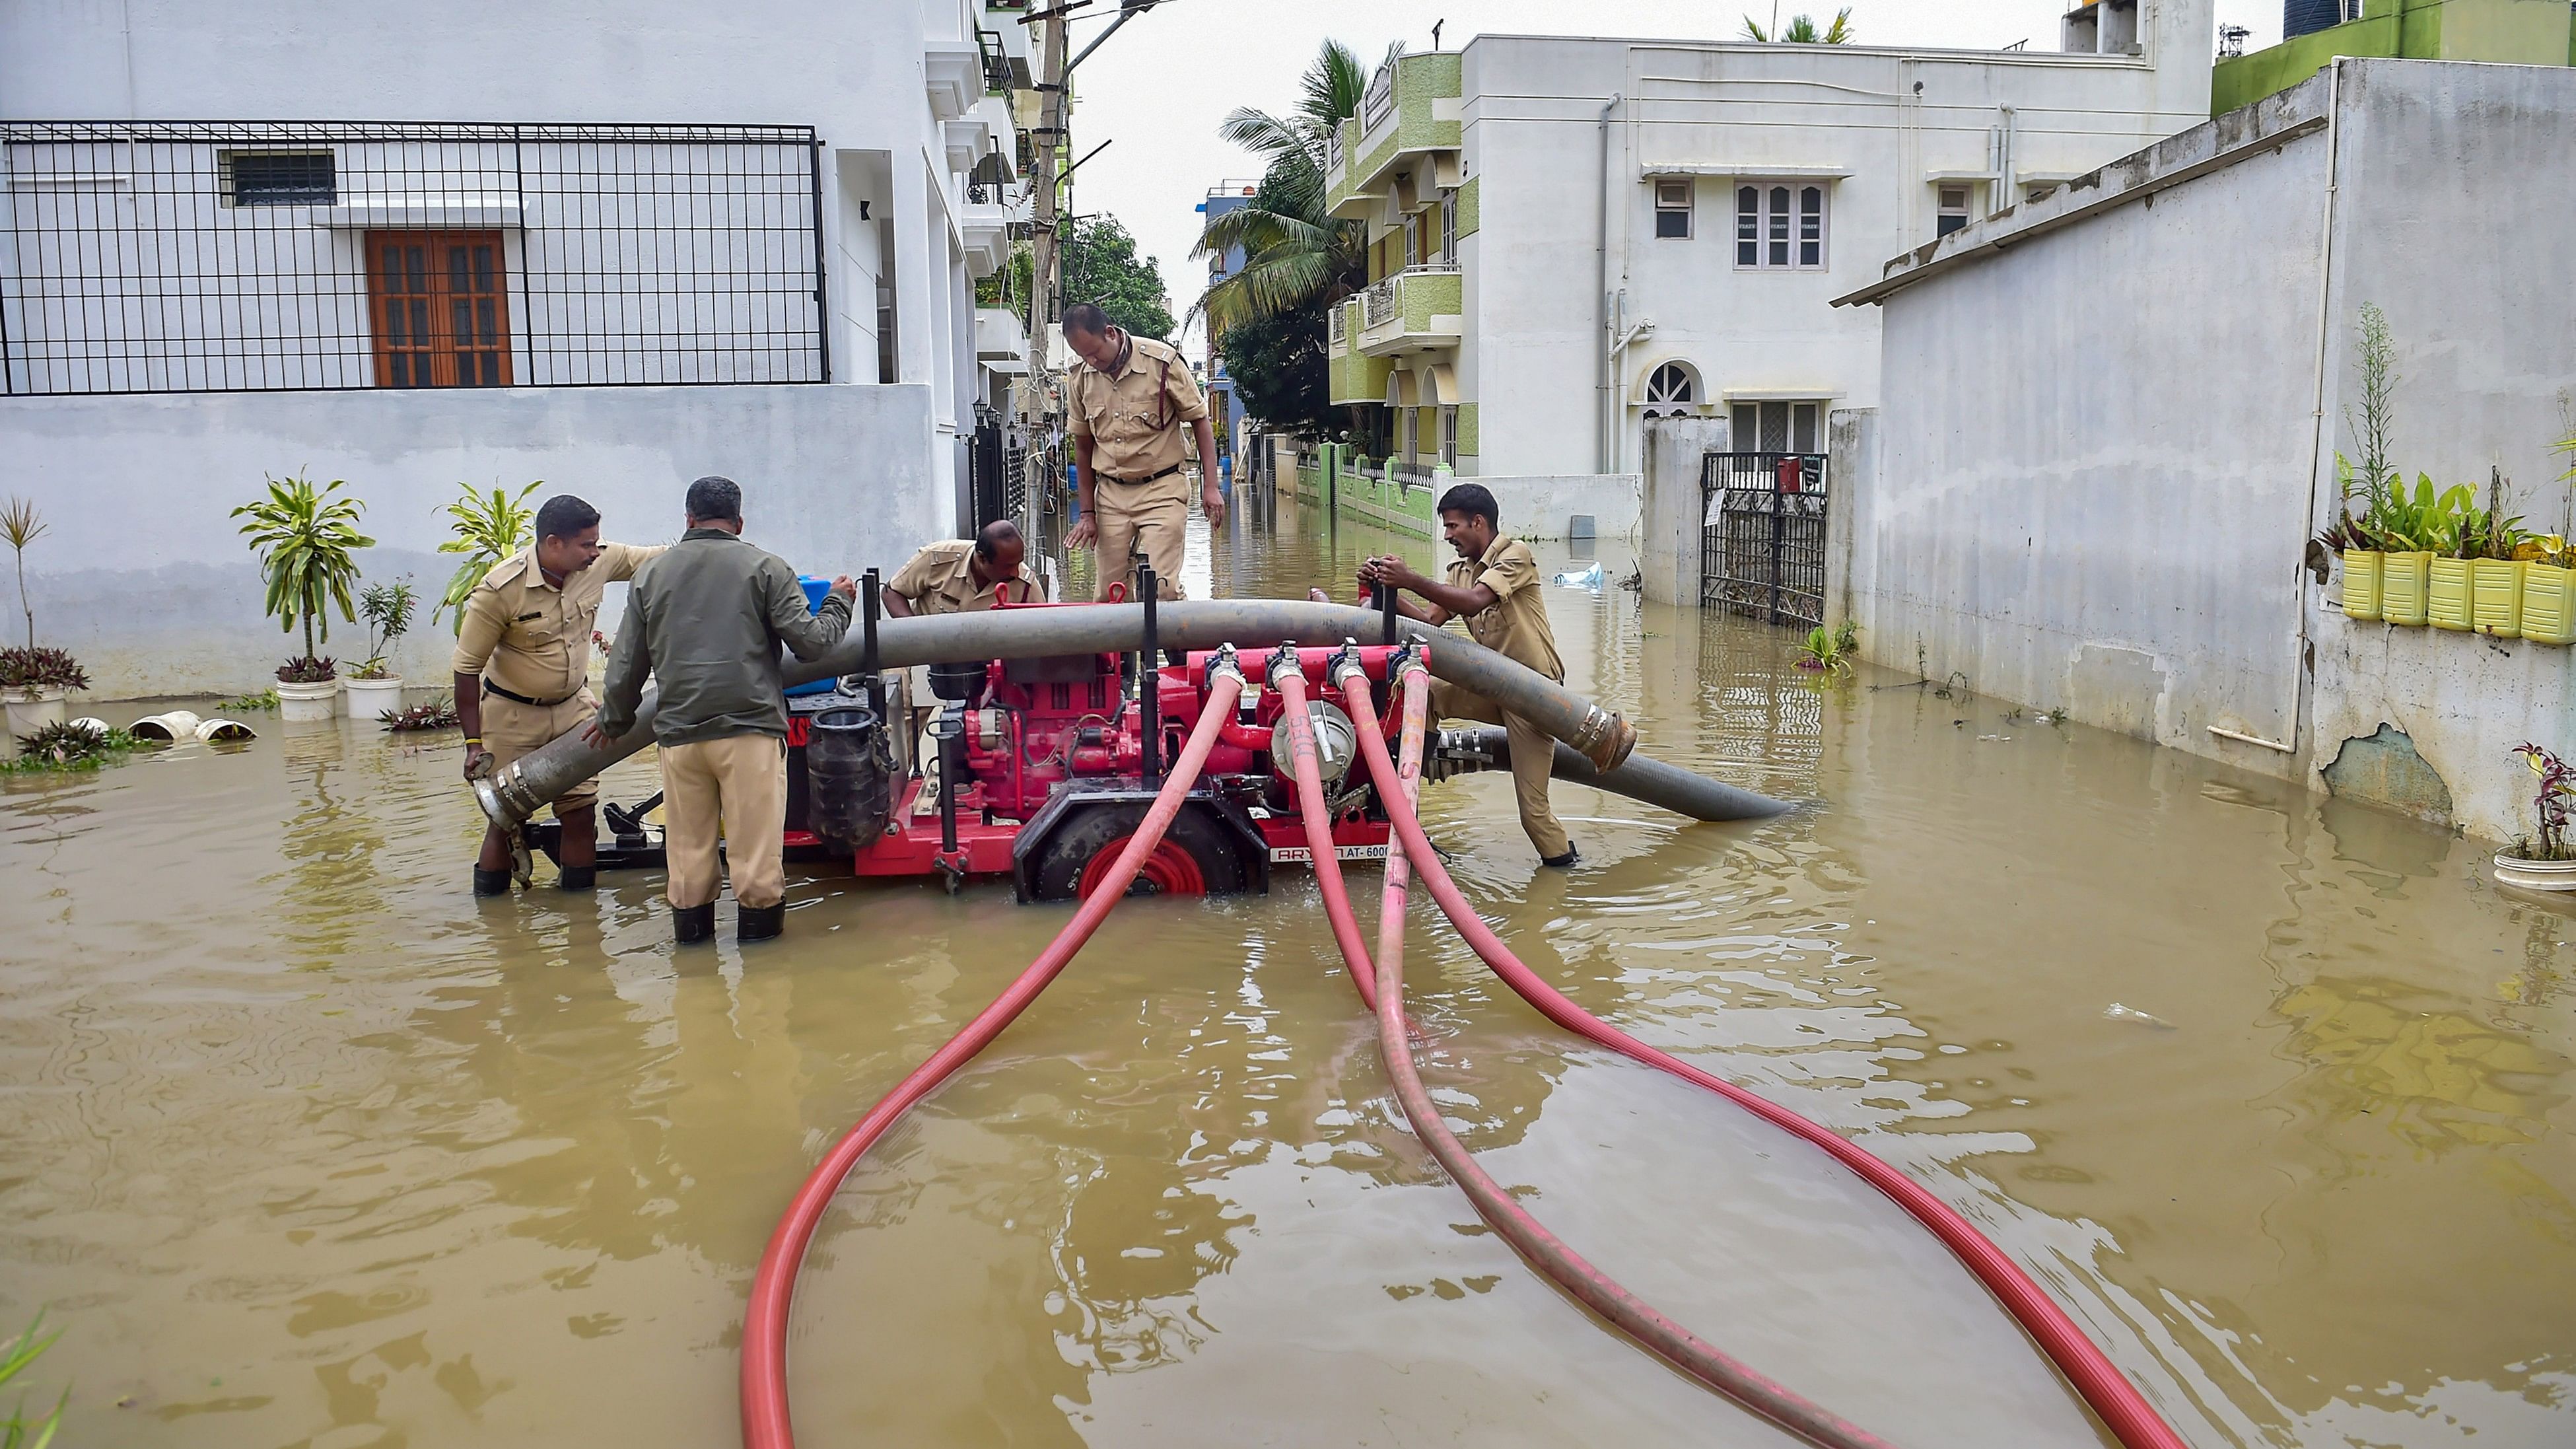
(2111, 429)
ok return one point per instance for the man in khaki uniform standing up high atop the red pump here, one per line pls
(1130, 404)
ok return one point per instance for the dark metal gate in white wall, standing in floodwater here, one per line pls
(1763, 535)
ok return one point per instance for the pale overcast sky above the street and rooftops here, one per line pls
(1163, 84)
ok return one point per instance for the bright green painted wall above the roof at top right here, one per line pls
(2513, 32)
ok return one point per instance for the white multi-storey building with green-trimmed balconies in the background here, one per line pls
(1570, 236)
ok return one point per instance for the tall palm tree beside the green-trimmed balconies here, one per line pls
(1297, 254)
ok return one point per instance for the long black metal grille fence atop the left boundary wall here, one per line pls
(251, 257)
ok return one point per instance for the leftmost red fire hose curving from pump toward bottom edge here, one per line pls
(774, 1285)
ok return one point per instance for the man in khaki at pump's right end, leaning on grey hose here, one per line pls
(1495, 589)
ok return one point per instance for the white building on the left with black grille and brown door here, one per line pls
(601, 249)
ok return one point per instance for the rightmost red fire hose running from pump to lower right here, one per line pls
(2093, 1376)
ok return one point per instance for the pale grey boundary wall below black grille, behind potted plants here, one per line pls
(146, 579)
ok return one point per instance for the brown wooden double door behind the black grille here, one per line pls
(442, 308)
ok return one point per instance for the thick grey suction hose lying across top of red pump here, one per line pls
(1604, 739)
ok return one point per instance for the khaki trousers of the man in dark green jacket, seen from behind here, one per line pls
(741, 783)
